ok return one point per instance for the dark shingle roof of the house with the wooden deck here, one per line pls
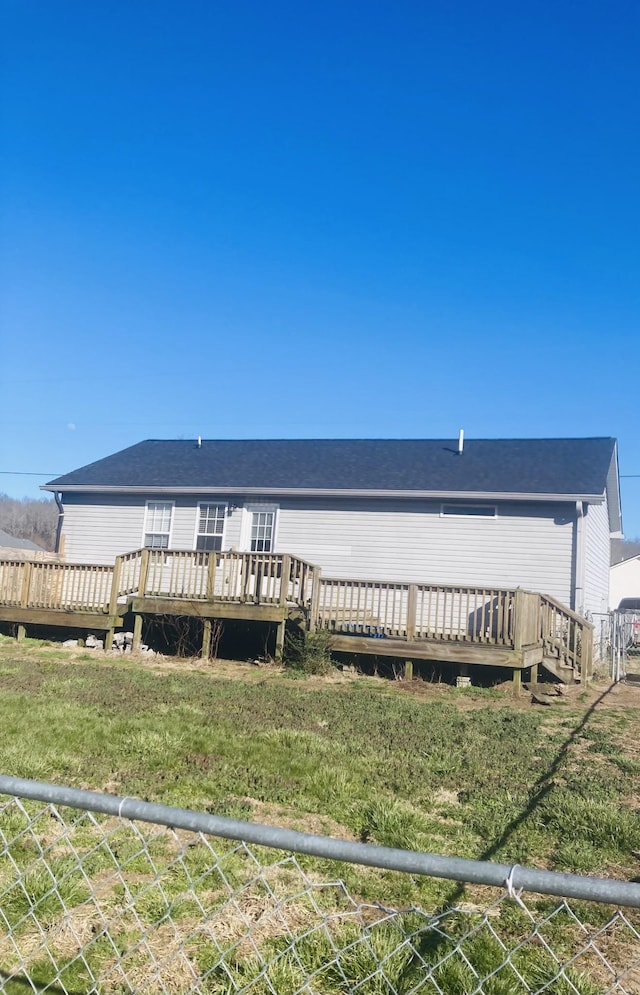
(523, 466)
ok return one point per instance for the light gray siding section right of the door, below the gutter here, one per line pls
(526, 545)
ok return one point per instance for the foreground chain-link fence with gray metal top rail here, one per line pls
(100, 894)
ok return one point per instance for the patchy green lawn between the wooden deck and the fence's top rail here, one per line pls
(471, 773)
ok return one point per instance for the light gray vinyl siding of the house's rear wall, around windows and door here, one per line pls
(526, 545)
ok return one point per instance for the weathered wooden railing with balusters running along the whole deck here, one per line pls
(509, 618)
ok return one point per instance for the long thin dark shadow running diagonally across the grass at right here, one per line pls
(429, 945)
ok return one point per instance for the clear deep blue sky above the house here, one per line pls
(250, 219)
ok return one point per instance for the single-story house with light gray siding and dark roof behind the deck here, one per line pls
(534, 513)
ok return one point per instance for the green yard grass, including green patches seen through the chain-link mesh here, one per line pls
(466, 774)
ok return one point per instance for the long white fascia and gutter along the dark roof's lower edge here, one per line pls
(328, 492)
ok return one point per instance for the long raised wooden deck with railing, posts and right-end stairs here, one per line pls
(497, 627)
